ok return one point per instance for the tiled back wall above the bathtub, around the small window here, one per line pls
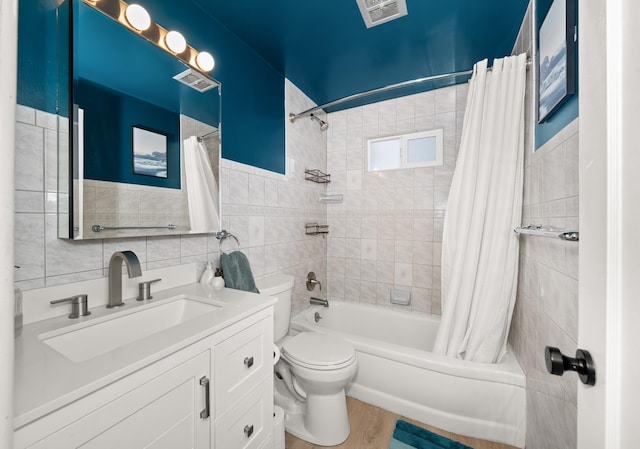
(387, 234)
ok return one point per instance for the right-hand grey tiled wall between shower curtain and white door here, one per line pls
(546, 311)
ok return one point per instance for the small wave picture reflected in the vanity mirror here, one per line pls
(149, 152)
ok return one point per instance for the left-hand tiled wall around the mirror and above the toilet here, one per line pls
(266, 211)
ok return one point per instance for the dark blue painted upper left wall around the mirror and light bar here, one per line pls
(252, 111)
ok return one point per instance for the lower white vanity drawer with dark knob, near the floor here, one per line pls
(247, 425)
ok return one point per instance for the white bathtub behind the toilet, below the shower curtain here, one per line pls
(398, 372)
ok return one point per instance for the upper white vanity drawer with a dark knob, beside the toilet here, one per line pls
(241, 362)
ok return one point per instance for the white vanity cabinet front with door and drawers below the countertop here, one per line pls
(216, 393)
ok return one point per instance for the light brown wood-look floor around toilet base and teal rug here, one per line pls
(372, 427)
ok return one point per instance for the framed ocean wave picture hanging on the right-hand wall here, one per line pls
(556, 57)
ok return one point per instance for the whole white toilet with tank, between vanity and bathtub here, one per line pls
(311, 375)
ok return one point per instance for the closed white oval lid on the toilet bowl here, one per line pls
(316, 349)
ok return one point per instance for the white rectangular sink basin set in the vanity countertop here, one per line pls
(112, 332)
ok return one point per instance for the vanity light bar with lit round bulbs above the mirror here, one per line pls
(138, 20)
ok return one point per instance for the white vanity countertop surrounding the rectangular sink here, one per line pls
(45, 380)
